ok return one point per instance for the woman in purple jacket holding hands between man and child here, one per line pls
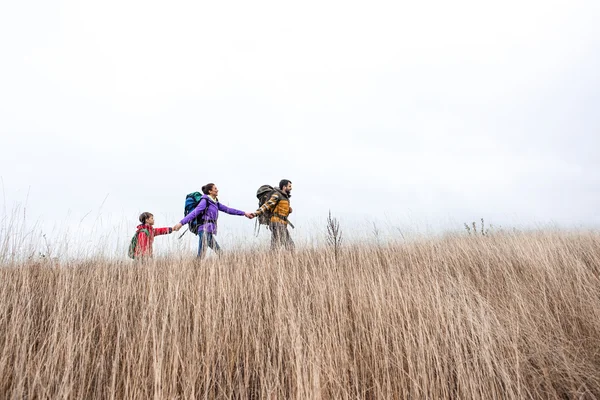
(208, 229)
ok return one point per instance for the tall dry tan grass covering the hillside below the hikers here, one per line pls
(503, 316)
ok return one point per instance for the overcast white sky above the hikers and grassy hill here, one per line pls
(407, 111)
